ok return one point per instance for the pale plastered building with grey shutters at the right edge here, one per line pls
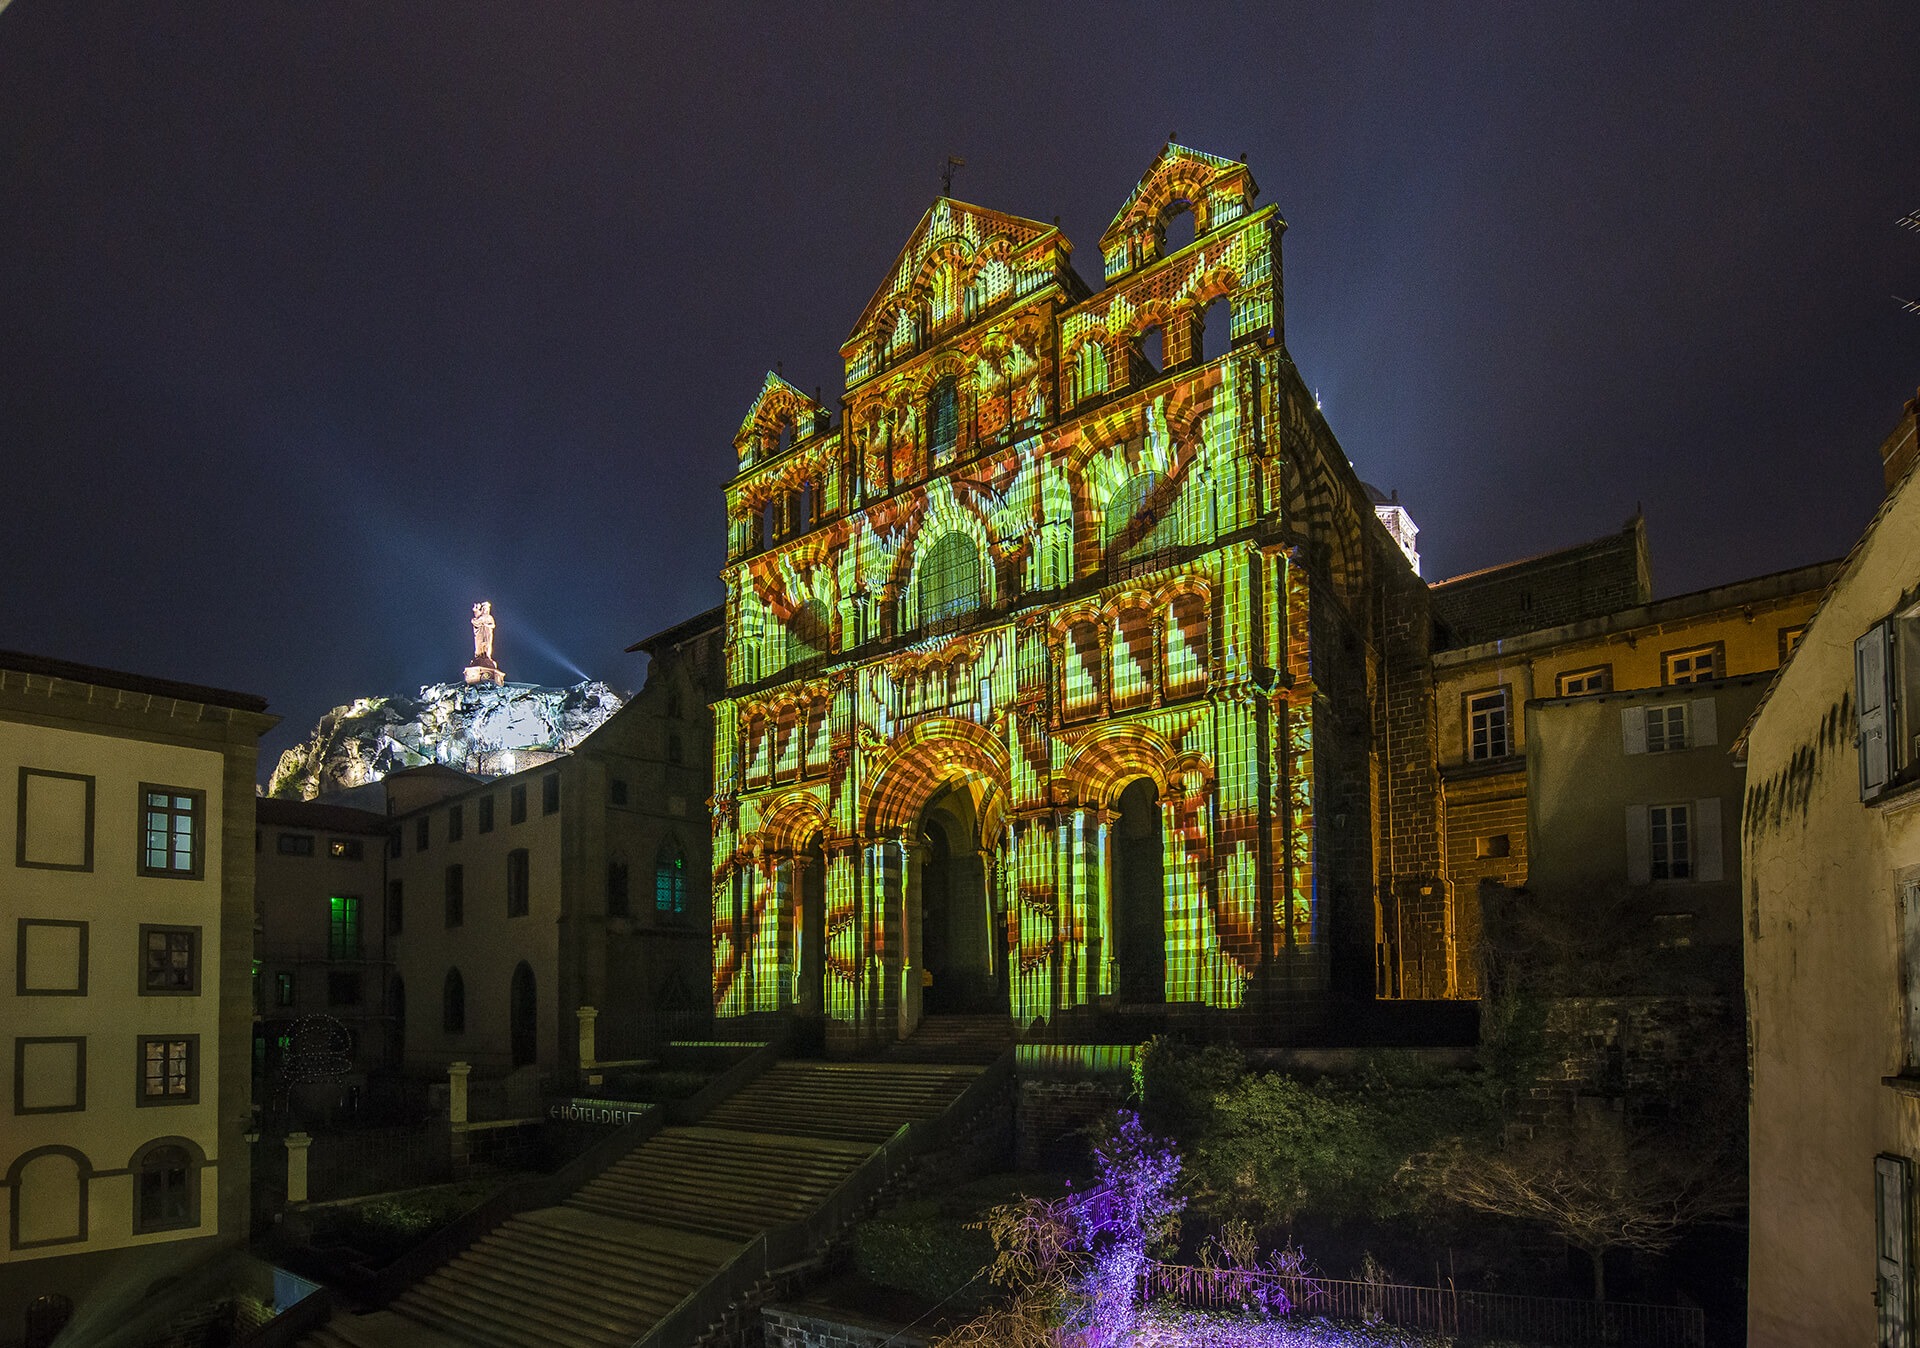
(1833, 950)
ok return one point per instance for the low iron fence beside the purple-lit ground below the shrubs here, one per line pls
(1439, 1311)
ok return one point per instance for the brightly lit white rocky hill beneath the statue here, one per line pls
(471, 727)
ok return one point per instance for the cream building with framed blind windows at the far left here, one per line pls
(130, 934)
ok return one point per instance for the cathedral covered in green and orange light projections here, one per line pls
(1068, 665)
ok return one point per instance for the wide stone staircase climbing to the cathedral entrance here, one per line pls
(631, 1245)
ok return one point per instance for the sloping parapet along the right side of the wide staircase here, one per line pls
(788, 1245)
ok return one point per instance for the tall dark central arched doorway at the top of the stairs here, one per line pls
(963, 967)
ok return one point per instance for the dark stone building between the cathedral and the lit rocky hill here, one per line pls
(525, 905)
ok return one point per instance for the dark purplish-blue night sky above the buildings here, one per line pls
(322, 322)
